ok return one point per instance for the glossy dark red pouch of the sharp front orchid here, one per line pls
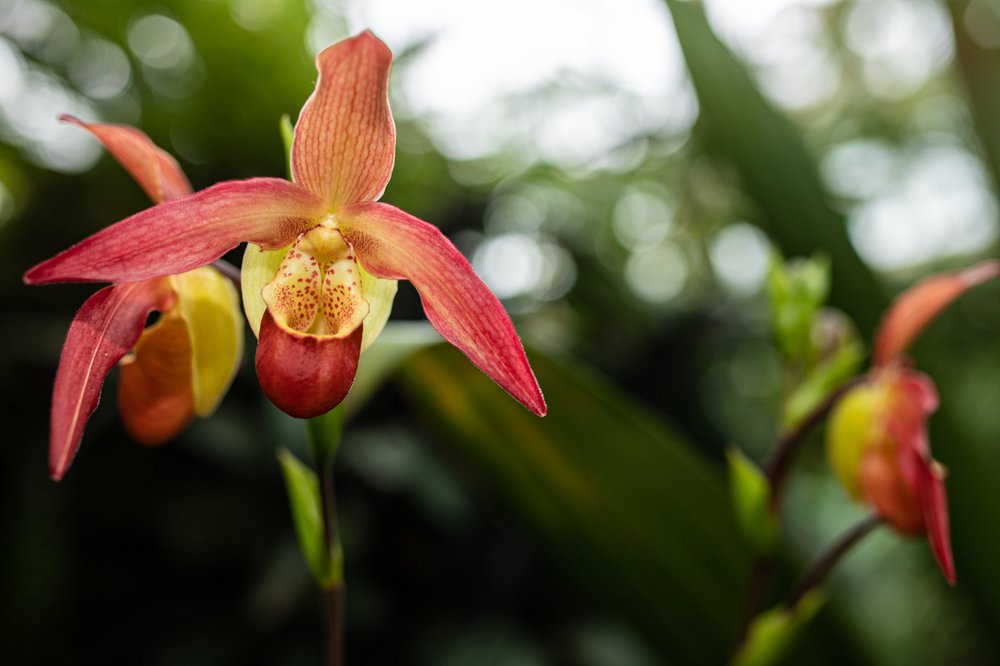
(305, 375)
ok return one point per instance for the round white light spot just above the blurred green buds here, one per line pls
(739, 255)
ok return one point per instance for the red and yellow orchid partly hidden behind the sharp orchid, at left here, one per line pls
(171, 371)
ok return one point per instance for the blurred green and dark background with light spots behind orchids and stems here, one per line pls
(618, 172)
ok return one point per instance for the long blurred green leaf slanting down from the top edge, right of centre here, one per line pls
(777, 170)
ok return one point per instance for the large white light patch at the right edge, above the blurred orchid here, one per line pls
(940, 207)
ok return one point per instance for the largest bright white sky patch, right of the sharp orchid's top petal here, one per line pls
(573, 86)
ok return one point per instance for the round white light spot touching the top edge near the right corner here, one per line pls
(903, 43)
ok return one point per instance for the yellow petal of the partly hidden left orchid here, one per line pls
(209, 304)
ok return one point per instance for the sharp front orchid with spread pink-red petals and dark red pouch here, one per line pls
(319, 275)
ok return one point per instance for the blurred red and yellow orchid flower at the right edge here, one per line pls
(877, 439)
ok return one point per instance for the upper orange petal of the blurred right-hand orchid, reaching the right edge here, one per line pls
(919, 305)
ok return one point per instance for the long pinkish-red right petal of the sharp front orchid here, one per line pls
(395, 245)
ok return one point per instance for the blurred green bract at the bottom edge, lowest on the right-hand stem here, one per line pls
(774, 632)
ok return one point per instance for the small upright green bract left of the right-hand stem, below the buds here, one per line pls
(751, 496)
